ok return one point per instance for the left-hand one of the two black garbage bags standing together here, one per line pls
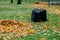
(36, 15)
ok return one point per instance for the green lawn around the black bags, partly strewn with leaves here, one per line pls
(49, 30)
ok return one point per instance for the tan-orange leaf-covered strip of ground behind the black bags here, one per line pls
(44, 5)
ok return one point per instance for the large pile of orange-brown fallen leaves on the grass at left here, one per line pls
(13, 27)
